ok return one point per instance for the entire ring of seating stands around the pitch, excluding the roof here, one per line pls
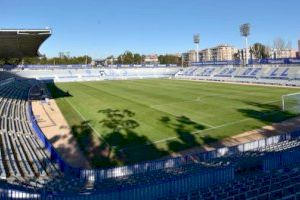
(30, 167)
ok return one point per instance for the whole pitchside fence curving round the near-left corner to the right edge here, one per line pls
(144, 167)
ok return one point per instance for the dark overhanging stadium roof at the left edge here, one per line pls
(18, 43)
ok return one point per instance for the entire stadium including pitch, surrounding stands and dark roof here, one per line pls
(208, 131)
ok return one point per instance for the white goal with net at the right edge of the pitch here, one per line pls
(291, 103)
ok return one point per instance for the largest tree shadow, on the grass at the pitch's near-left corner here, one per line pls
(118, 146)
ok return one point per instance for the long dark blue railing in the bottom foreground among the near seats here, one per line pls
(146, 191)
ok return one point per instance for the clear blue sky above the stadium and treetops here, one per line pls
(105, 27)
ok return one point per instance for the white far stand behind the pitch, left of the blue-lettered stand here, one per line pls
(97, 74)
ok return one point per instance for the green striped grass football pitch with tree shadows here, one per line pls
(126, 121)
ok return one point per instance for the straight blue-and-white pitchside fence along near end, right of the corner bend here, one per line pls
(100, 174)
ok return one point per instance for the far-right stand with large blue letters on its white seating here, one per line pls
(262, 74)
